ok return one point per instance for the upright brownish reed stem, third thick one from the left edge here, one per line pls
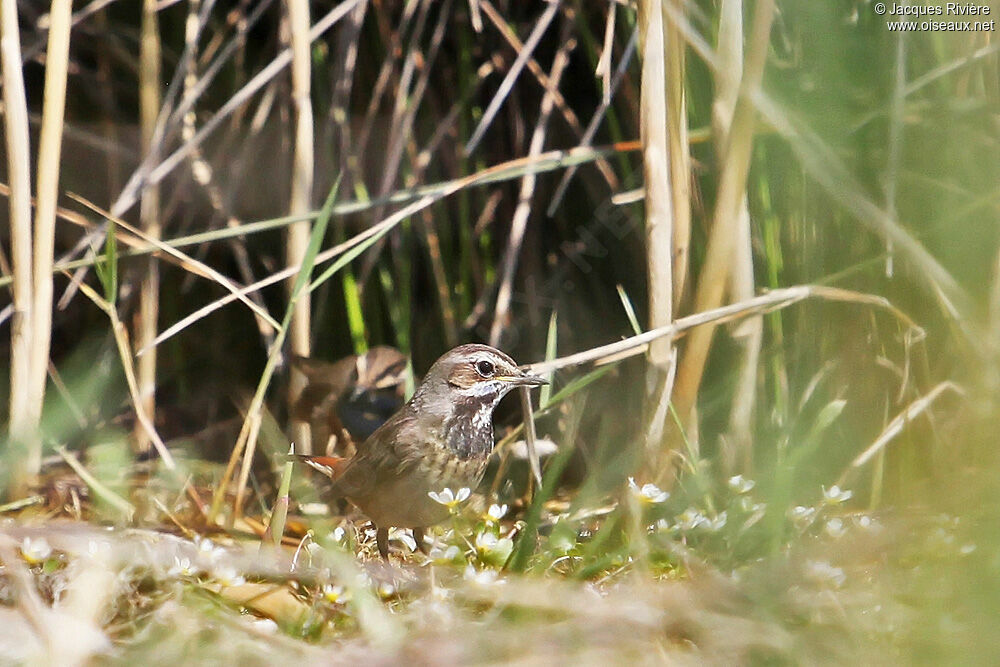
(146, 320)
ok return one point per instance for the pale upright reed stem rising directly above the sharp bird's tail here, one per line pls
(300, 203)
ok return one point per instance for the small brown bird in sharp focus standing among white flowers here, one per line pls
(442, 438)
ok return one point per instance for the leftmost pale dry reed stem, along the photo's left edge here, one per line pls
(24, 415)
